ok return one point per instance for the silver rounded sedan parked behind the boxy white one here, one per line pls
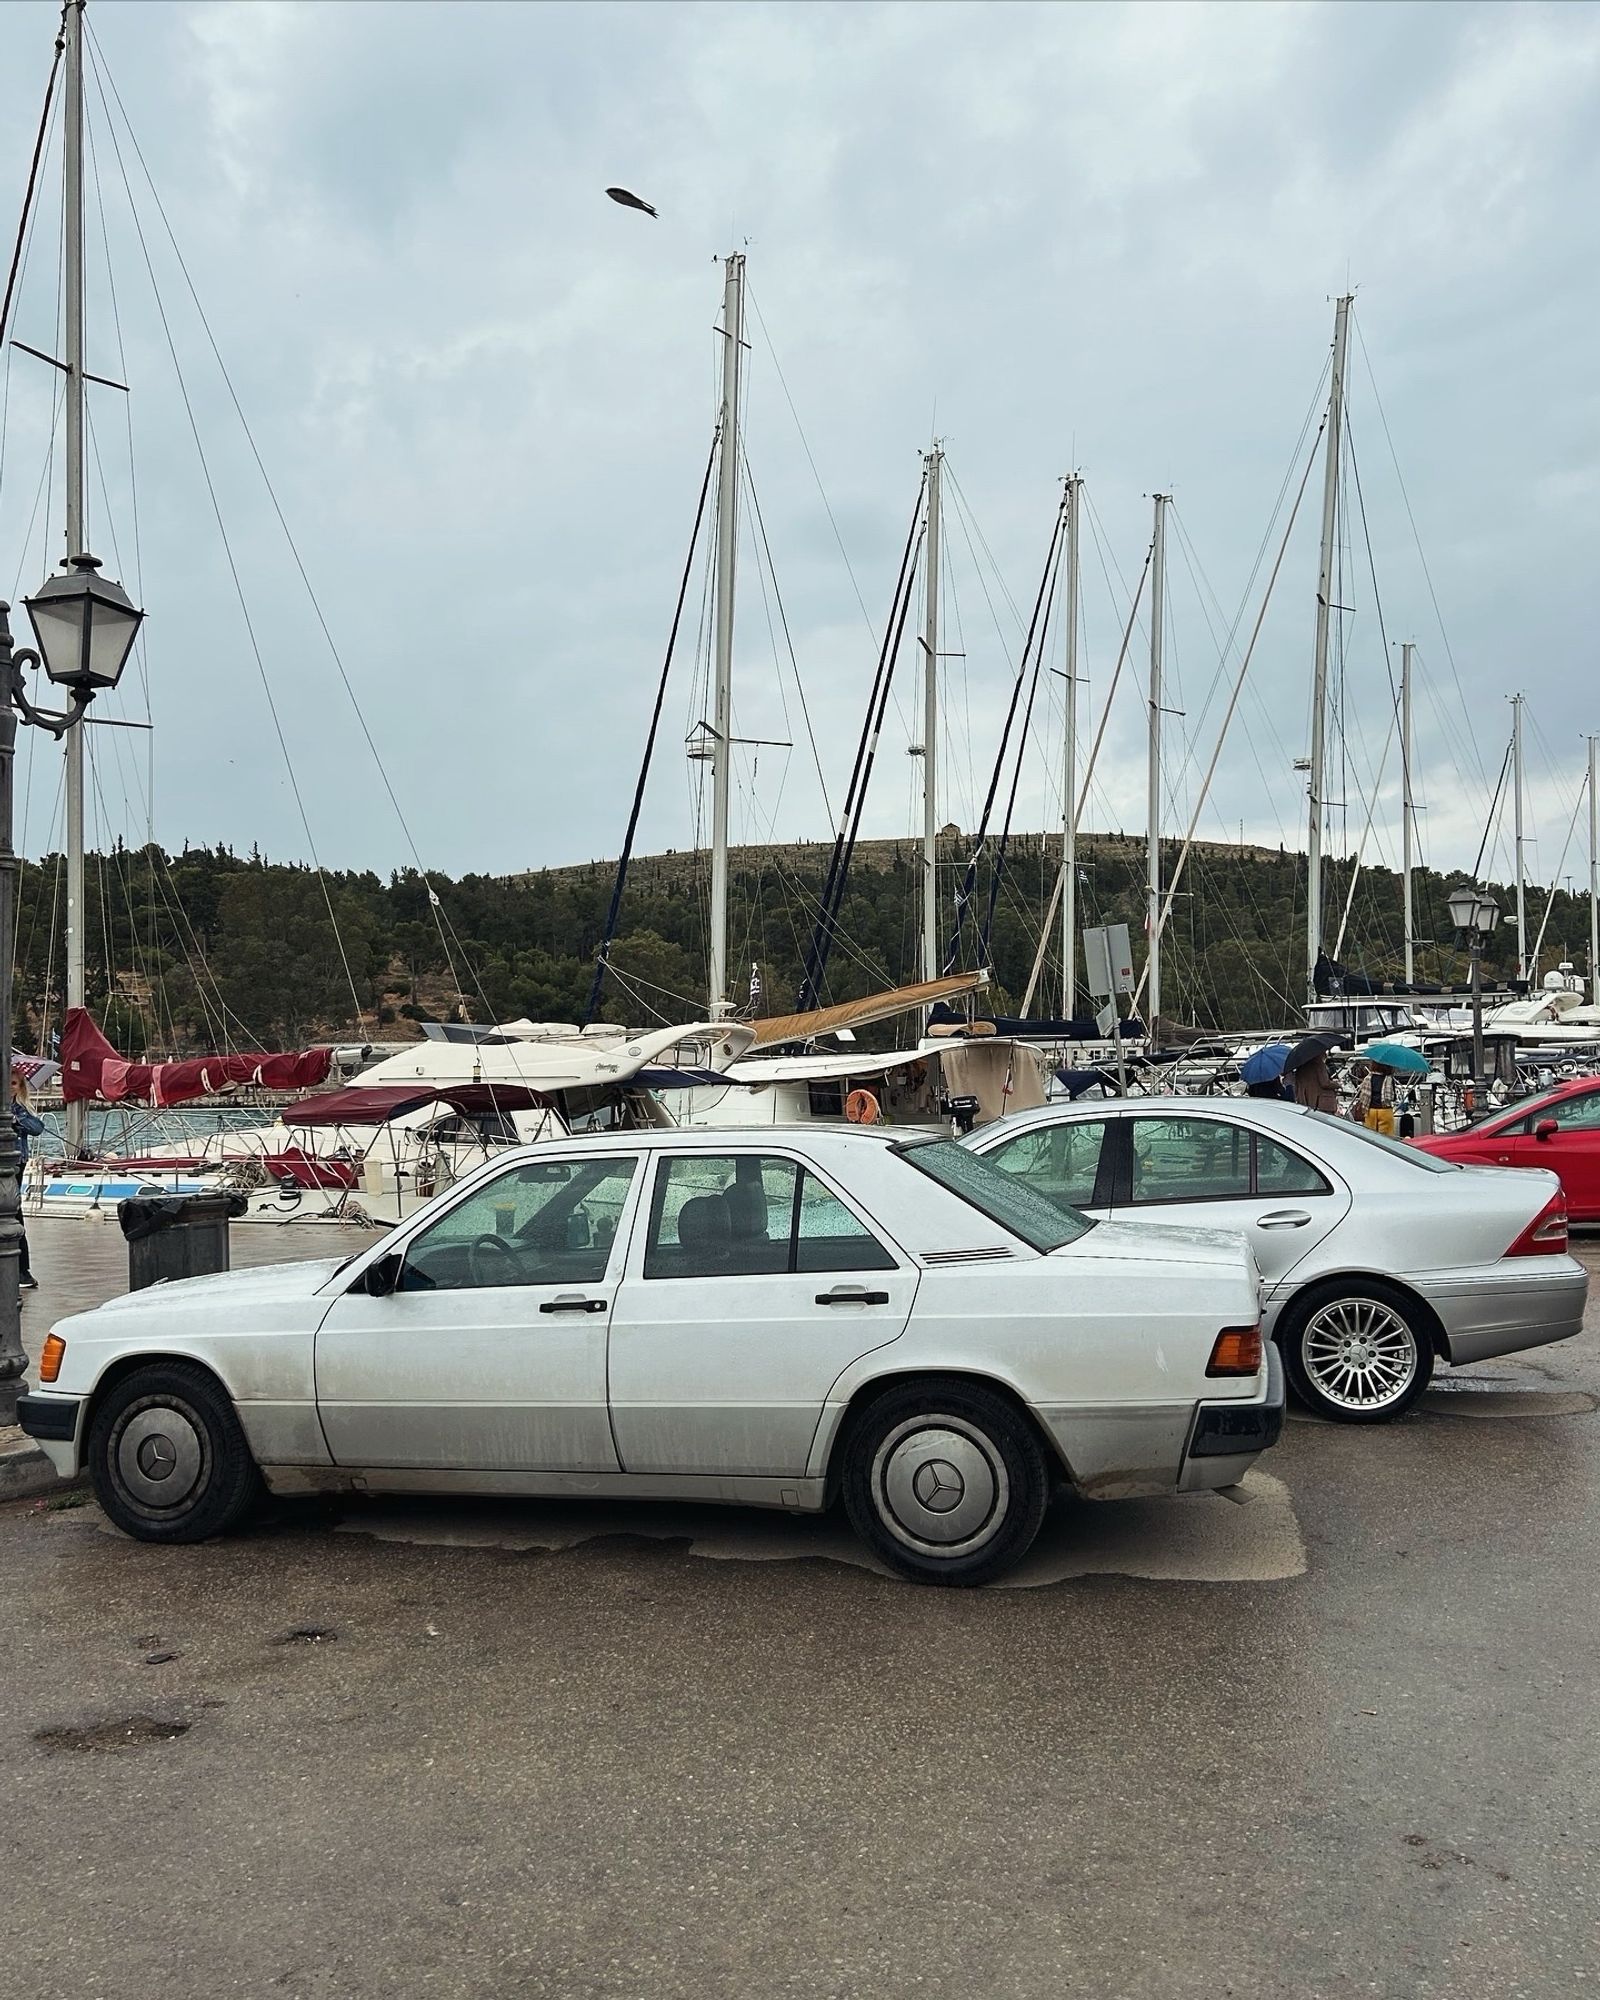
(1377, 1257)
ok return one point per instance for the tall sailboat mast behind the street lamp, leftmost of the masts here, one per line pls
(73, 201)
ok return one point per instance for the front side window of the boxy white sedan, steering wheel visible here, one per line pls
(543, 1223)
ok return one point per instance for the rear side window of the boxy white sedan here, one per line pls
(751, 1215)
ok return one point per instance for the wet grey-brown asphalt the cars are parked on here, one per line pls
(1335, 1737)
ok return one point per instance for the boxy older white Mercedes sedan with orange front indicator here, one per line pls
(769, 1319)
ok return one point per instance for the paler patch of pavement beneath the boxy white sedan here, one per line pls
(1243, 1537)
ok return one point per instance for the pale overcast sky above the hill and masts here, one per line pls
(1099, 237)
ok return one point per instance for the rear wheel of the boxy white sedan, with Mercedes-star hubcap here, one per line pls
(985, 1469)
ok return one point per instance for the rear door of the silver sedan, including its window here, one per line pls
(1223, 1175)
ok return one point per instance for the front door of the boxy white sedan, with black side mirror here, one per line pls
(491, 1351)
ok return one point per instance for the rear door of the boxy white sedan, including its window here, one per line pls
(751, 1287)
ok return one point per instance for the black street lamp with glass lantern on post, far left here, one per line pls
(85, 627)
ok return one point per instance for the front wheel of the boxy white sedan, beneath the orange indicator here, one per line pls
(171, 1423)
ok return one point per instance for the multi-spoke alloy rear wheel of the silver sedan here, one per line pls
(1359, 1353)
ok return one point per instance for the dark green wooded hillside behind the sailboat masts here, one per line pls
(213, 949)
